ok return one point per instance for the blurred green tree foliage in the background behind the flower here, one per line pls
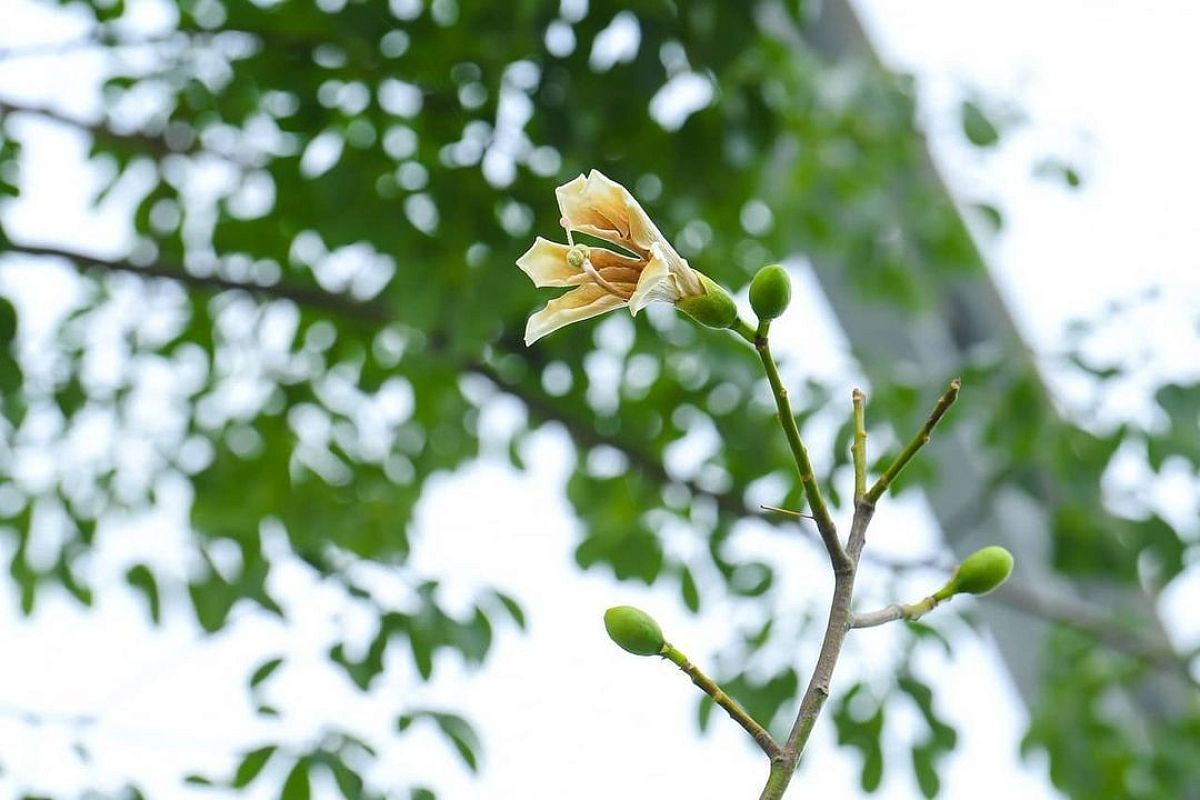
(381, 166)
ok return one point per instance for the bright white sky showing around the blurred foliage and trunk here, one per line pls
(1102, 85)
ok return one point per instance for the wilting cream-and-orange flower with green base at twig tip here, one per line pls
(602, 279)
